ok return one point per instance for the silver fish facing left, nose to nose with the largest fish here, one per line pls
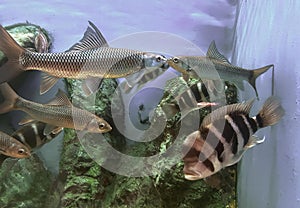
(216, 66)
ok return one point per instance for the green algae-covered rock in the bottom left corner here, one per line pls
(24, 183)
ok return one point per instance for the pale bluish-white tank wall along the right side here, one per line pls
(268, 32)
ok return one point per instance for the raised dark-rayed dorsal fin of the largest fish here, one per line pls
(92, 38)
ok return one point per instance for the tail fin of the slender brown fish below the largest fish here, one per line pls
(10, 98)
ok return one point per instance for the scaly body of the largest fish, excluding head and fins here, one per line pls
(80, 65)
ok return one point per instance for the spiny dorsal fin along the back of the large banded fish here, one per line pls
(225, 110)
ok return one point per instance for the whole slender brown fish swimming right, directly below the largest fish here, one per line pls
(58, 113)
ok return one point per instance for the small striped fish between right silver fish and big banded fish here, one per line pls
(195, 97)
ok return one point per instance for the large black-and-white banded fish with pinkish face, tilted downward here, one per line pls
(224, 135)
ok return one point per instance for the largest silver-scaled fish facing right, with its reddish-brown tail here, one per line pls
(90, 59)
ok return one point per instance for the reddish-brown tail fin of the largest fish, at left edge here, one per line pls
(12, 51)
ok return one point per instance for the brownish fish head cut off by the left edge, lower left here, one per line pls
(11, 147)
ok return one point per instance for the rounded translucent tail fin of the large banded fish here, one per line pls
(270, 113)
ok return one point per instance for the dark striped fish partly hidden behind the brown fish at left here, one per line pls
(32, 136)
